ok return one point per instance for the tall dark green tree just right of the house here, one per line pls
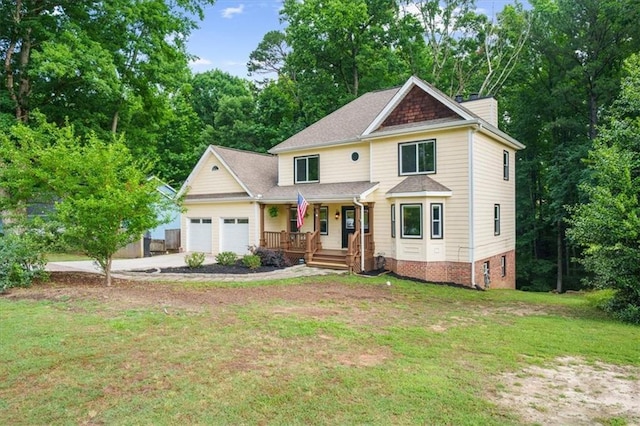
(570, 73)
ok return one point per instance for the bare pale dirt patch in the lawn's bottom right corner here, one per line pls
(573, 392)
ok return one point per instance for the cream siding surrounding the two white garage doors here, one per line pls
(217, 212)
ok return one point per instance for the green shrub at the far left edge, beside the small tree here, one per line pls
(21, 261)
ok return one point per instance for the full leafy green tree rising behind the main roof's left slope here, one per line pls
(341, 49)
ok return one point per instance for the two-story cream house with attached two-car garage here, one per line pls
(407, 177)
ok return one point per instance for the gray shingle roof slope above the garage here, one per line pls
(258, 172)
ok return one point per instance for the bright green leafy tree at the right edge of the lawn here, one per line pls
(608, 224)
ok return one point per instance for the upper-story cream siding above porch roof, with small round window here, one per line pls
(335, 164)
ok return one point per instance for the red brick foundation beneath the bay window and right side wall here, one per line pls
(458, 272)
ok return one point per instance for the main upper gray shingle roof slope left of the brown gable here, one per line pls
(344, 124)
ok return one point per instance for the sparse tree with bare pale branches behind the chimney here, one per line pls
(467, 52)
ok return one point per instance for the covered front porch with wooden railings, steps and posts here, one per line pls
(338, 230)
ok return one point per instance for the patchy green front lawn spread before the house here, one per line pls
(423, 355)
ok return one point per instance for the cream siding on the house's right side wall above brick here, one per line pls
(490, 189)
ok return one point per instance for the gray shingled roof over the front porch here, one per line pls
(320, 192)
